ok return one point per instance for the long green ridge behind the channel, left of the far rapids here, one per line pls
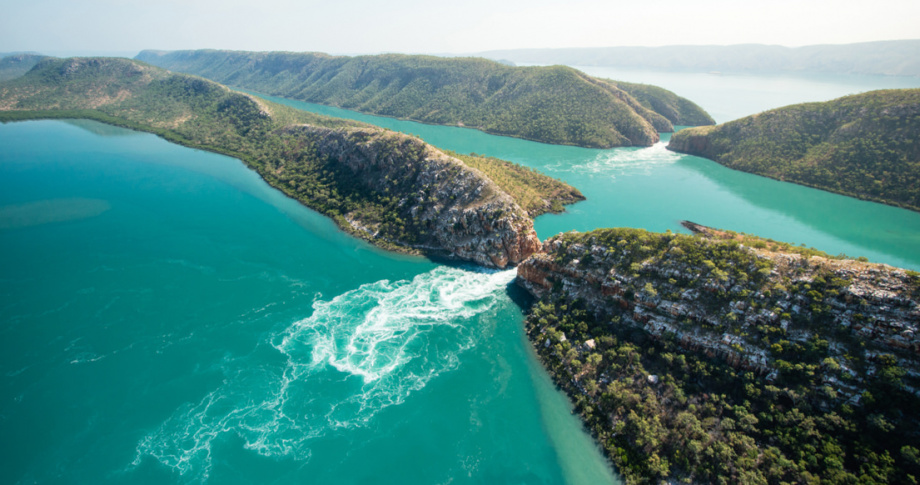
(556, 104)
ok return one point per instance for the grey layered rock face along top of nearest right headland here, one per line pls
(876, 304)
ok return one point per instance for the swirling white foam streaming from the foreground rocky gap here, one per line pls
(358, 353)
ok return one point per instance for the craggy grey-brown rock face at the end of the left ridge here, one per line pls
(463, 214)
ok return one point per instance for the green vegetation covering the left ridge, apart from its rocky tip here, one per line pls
(203, 114)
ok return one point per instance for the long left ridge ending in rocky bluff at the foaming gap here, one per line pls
(392, 189)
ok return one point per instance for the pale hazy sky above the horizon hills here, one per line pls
(441, 27)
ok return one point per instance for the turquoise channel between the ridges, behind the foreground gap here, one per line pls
(653, 188)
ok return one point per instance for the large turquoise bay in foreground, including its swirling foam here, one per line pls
(205, 328)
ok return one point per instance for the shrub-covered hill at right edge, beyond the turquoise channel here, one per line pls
(864, 146)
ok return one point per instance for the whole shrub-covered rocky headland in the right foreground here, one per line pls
(720, 358)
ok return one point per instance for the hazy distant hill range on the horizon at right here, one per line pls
(889, 58)
